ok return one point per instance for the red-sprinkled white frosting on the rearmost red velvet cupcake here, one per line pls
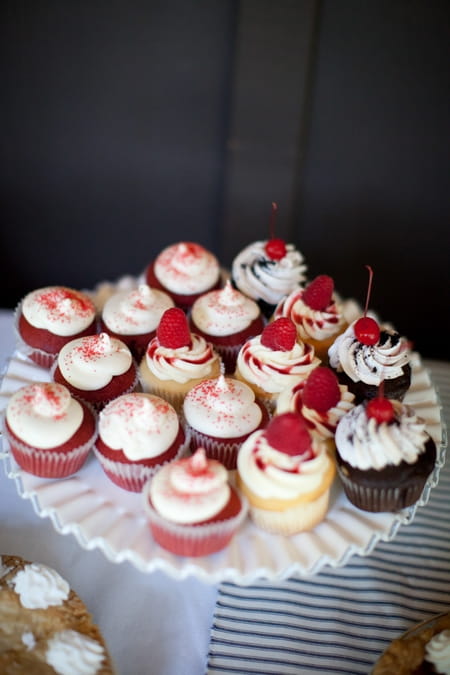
(187, 268)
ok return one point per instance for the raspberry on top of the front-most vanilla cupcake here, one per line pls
(288, 433)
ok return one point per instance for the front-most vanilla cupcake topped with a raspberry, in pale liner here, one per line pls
(286, 476)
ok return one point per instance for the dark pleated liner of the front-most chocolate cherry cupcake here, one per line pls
(378, 499)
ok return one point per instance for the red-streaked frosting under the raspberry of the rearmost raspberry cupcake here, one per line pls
(311, 323)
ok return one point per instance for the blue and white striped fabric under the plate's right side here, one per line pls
(341, 620)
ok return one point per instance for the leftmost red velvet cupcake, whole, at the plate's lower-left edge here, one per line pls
(49, 432)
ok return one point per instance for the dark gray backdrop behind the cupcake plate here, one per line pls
(128, 126)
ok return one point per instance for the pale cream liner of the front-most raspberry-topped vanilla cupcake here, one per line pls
(296, 519)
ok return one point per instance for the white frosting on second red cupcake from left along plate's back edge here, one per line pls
(136, 311)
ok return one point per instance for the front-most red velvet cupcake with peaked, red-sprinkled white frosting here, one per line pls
(191, 507)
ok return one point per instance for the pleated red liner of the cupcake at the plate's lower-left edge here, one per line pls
(48, 463)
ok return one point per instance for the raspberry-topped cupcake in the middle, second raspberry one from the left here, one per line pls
(275, 360)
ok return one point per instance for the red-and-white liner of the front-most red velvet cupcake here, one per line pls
(192, 540)
